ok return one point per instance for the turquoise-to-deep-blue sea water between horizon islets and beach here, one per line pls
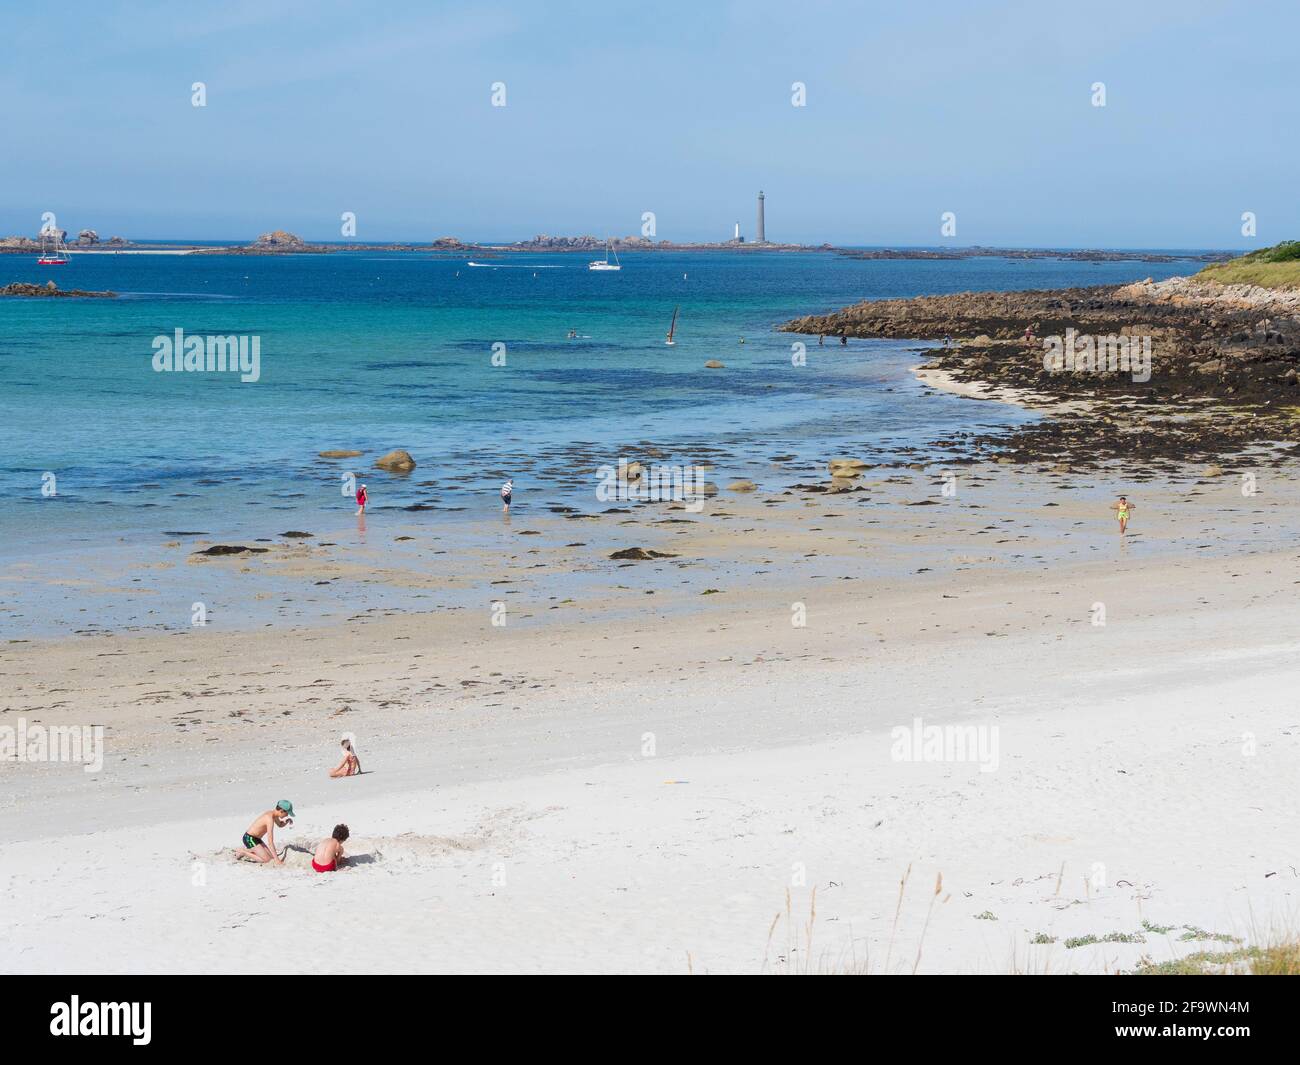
(375, 352)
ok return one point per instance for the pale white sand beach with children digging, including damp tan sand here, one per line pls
(664, 790)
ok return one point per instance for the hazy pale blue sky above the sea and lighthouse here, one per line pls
(913, 110)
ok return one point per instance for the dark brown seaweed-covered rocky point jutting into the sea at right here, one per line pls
(1224, 366)
